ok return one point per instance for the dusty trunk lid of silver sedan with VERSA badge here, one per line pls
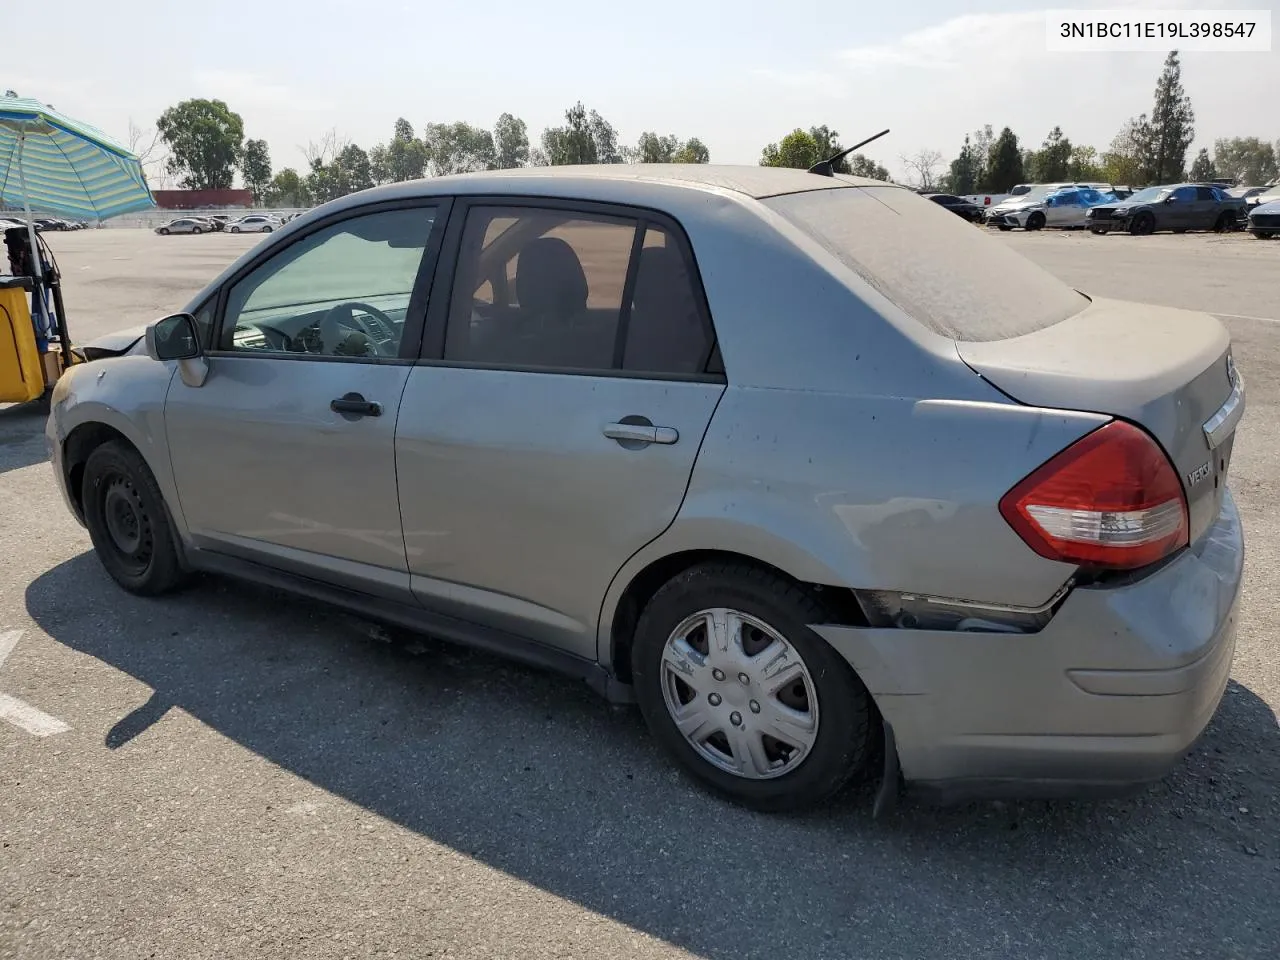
(1167, 371)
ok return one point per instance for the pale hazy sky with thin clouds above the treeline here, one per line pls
(735, 74)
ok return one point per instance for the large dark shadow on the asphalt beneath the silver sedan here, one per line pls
(534, 776)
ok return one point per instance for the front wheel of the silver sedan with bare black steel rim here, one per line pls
(124, 506)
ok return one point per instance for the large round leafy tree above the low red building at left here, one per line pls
(204, 140)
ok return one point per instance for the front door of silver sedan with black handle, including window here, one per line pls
(285, 455)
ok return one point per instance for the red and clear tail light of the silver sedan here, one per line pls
(1112, 500)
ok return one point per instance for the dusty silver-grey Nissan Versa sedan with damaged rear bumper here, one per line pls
(821, 477)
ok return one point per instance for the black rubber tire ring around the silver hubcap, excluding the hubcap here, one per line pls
(847, 717)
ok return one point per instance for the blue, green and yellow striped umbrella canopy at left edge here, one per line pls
(58, 166)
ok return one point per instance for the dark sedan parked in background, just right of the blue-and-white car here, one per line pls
(1178, 208)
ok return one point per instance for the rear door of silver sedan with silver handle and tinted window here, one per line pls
(550, 431)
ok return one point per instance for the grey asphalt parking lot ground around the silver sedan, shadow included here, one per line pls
(232, 772)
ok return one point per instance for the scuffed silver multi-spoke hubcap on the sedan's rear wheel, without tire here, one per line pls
(740, 694)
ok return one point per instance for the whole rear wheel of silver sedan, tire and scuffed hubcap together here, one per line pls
(739, 691)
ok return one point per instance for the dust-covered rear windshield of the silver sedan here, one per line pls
(940, 269)
